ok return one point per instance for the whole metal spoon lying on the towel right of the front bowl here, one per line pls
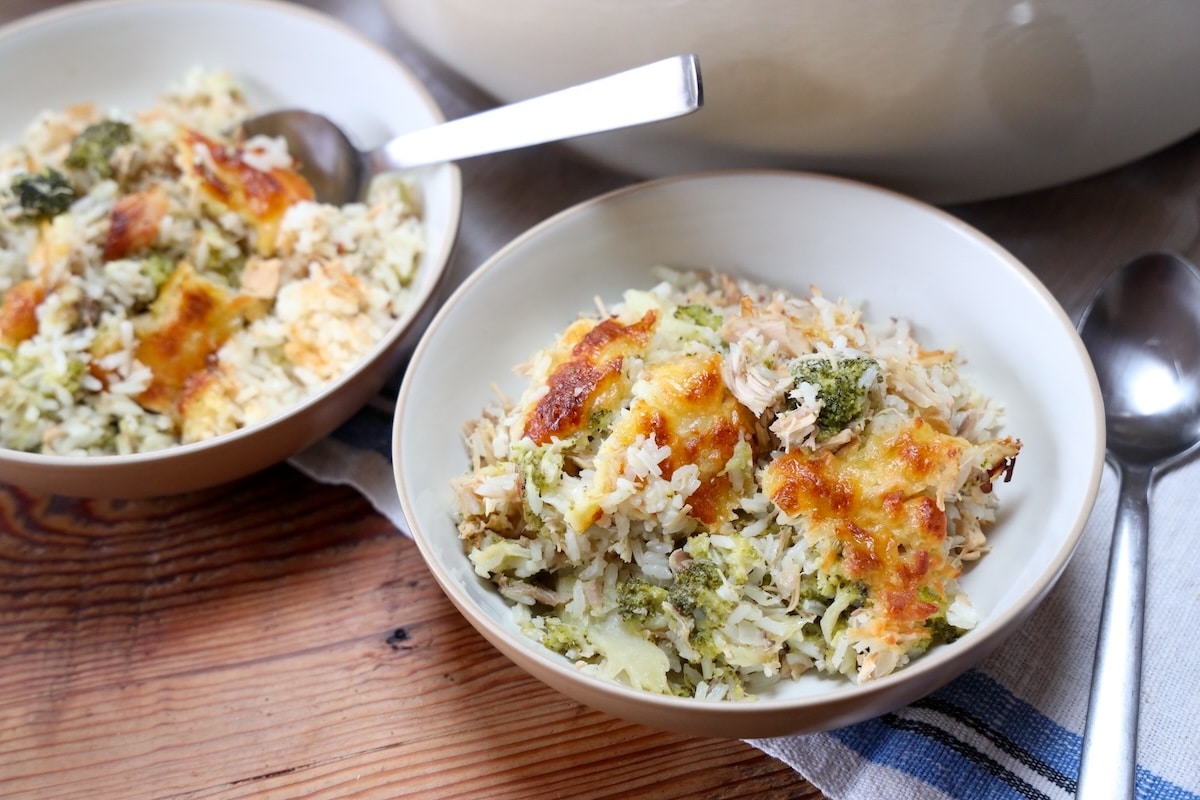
(1143, 333)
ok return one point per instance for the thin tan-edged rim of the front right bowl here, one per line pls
(982, 641)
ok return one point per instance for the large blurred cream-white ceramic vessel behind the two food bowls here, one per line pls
(945, 101)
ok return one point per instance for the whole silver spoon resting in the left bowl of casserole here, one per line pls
(340, 173)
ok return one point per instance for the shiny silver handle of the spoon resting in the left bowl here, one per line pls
(649, 94)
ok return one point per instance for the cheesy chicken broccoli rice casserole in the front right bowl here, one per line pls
(715, 486)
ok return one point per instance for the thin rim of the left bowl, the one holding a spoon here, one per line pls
(439, 262)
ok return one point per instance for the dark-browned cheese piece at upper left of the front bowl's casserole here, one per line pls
(587, 377)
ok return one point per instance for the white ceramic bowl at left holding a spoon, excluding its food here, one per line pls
(125, 55)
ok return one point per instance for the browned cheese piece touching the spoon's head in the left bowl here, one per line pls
(260, 197)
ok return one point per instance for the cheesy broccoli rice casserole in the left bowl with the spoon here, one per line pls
(166, 281)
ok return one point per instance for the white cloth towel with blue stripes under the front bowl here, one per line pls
(1010, 729)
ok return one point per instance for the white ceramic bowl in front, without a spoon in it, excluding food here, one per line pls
(791, 231)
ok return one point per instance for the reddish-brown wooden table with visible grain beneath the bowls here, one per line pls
(279, 639)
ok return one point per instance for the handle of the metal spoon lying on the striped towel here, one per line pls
(1109, 763)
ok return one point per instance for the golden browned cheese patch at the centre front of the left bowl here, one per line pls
(189, 322)
